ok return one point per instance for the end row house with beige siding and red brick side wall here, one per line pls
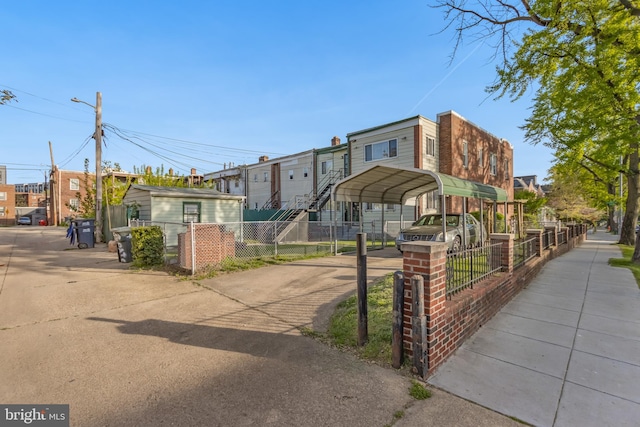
(452, 145)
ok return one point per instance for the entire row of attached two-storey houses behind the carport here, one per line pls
(451, 145)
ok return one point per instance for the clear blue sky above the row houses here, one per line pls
(204, 83)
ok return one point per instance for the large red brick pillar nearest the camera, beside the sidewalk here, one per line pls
(428, 259)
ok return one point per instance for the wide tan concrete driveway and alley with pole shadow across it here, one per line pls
(137, 348)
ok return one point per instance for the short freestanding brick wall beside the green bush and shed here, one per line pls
(212, 246)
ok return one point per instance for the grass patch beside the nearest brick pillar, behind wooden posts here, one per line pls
(343, 326)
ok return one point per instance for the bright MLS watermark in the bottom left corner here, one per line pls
(35, 415)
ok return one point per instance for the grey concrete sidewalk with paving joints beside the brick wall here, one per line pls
(564, 352)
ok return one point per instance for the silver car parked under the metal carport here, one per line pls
(429, 228)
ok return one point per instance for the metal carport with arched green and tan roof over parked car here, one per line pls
(394, 185)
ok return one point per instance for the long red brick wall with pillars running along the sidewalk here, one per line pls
(450, 322)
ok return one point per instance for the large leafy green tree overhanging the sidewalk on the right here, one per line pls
(583, 58)
